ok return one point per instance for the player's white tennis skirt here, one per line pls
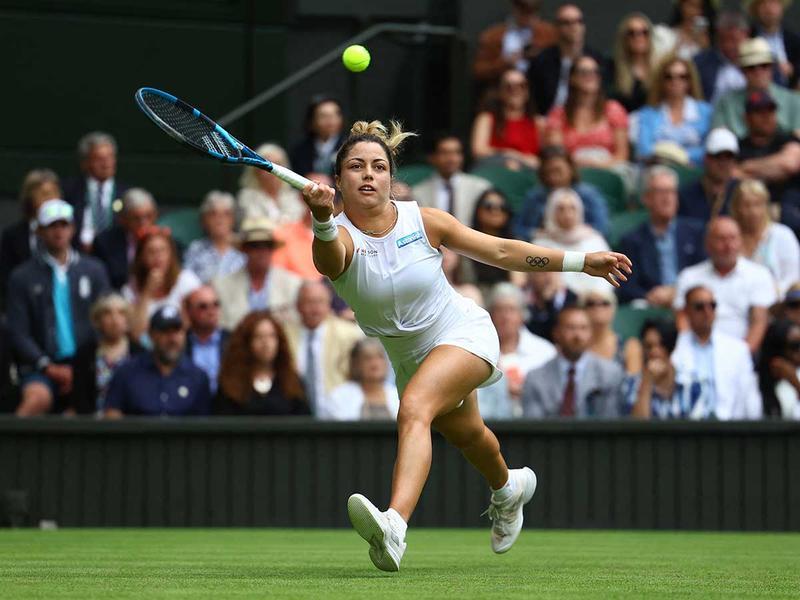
(463, 324)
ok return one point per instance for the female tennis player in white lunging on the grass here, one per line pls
(383, 258)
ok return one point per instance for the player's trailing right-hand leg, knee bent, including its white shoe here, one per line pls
(511, 489)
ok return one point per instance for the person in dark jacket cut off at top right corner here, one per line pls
(767, 18)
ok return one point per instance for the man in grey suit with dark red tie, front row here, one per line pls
(576, 383)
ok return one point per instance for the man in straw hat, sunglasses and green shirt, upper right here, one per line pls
(756, 61)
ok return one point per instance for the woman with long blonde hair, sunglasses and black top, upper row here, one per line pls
(634, 61)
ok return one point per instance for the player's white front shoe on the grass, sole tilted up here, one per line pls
(385, 535)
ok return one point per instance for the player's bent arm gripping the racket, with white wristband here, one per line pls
(331, 247)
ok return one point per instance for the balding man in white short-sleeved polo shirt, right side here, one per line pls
(744, 290)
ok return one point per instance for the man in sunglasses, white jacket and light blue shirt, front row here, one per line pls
(714, 369)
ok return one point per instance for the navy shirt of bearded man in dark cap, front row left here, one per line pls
(139, 388)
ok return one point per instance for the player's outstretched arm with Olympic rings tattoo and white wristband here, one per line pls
(514, 255)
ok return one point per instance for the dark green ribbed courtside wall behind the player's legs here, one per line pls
(297, 472)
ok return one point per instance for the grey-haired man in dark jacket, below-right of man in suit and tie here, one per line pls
(116, 247)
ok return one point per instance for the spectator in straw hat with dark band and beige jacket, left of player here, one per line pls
(259, 285)
